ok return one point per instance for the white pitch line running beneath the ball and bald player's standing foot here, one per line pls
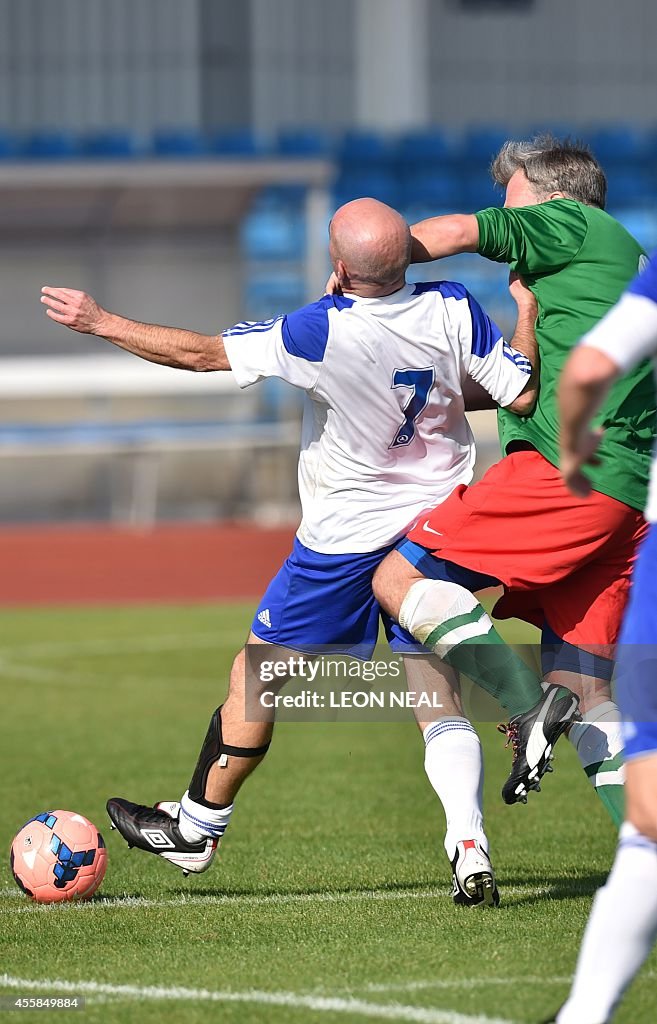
(247, 900)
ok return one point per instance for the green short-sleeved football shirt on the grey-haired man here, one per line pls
(578, 261)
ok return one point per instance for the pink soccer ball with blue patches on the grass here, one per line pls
(59, 856)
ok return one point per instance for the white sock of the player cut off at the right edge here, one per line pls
(621, 932)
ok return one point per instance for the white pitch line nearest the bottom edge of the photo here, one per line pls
(319, 1004)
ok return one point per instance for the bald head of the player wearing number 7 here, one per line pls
(370, 247)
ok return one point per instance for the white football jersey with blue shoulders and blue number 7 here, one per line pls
(384, 433)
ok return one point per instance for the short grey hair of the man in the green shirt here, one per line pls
(551, 166)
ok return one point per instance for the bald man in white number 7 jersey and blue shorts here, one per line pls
(384, 437)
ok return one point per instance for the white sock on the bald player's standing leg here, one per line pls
(455, 766)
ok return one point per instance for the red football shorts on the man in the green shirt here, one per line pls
(564, 562)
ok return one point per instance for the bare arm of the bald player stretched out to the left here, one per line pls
(167, 346)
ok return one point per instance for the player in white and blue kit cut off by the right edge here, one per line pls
(623, 926)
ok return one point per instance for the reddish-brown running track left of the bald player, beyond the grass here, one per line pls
(102, 565)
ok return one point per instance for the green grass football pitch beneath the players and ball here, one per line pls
(330, 902)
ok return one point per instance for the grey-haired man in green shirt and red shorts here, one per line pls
(565, 563)
